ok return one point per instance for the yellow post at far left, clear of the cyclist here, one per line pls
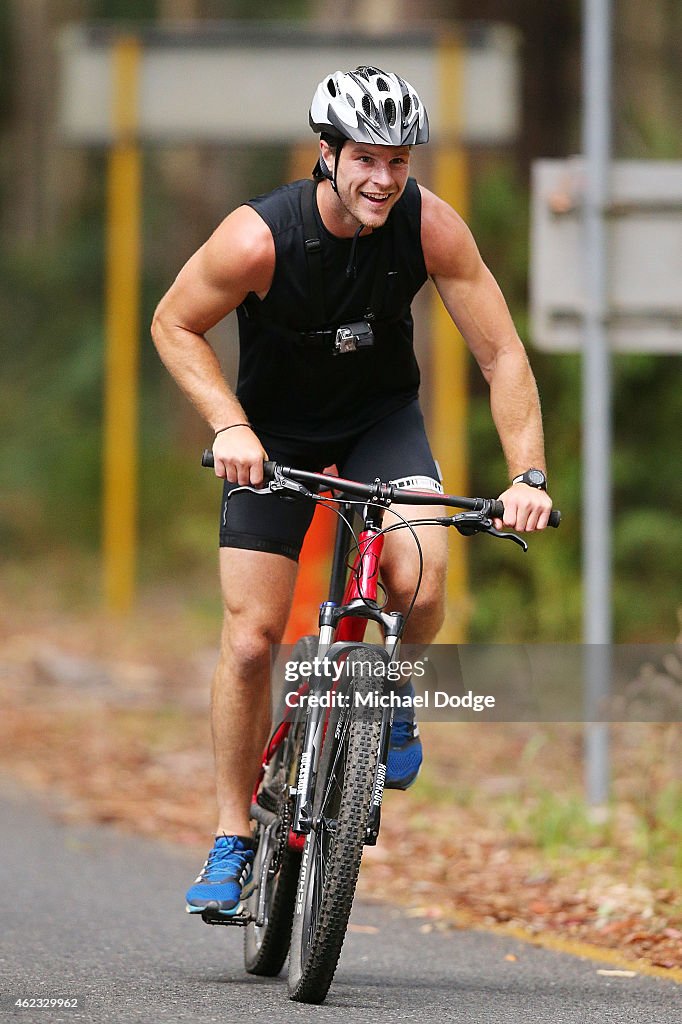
(122, 319)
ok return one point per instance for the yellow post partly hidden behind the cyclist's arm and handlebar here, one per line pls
(449, 410)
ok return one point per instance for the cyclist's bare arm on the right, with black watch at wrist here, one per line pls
(477, 306)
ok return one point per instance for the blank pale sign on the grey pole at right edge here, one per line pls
(645, 255)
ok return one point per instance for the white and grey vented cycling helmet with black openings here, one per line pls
(369, 106)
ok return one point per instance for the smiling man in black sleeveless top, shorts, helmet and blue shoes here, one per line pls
(322, 275)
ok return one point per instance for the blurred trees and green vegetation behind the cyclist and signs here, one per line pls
(52, 320)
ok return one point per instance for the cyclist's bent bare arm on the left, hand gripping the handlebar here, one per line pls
(237, 260)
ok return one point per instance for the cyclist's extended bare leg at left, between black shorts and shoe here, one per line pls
(258, 591)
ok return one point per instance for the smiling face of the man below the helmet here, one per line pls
(370, 182)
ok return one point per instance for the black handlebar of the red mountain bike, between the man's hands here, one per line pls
(383, 493)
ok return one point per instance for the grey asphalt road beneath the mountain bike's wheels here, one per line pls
(99, 915)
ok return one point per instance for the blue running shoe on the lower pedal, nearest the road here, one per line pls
(226, 878)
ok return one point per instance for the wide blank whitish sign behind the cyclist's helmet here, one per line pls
(232, 82)
